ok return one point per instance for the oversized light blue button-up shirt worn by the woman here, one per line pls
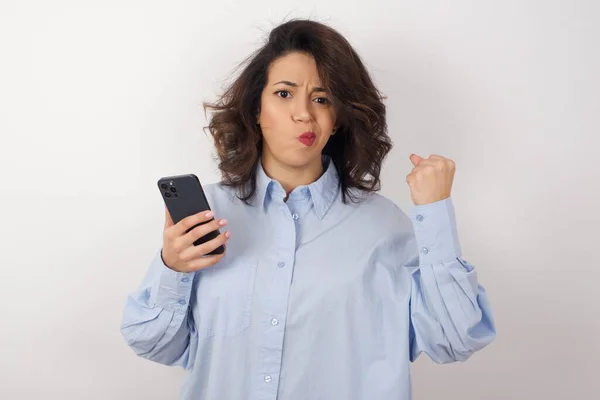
(314, 299)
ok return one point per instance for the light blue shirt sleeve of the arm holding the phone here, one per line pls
(156, 321)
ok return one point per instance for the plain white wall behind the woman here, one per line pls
(100, 98)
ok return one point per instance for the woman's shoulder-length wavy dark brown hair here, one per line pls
(361, 142)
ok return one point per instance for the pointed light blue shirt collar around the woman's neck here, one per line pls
(323, 191)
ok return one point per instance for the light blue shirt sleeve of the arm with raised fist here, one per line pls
(450, 314)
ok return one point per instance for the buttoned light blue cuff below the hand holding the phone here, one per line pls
(170, 289)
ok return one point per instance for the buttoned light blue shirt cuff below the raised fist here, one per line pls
(436, 232)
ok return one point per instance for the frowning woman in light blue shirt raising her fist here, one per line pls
(327, 290)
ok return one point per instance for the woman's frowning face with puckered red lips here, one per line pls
(296, 115)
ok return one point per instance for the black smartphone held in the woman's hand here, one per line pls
(183, 195)
